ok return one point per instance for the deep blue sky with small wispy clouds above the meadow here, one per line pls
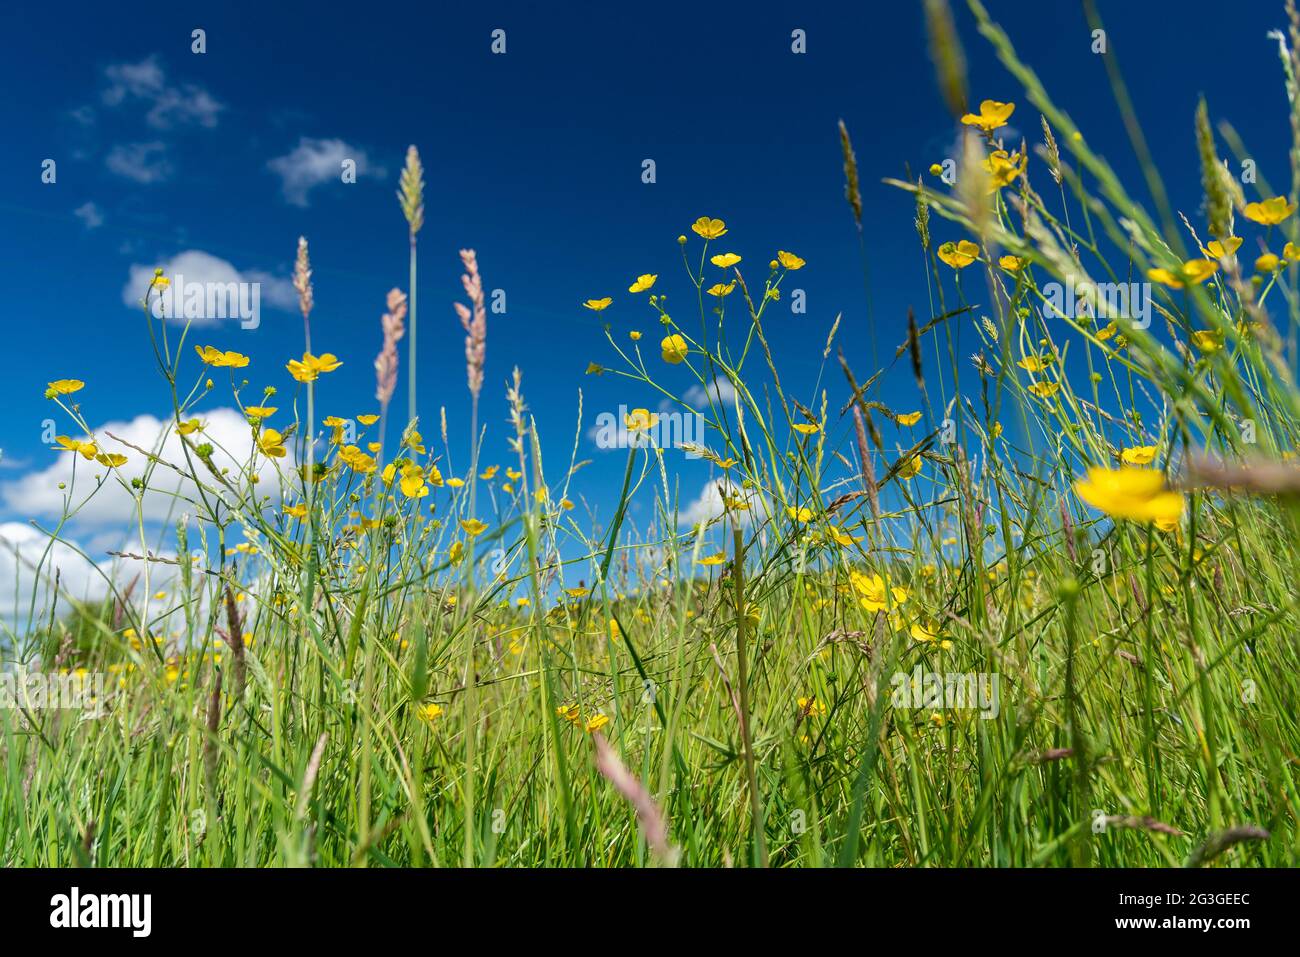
(534, 159)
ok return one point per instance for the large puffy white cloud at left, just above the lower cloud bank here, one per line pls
(37, 495)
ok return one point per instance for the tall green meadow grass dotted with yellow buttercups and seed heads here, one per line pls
(379, 660)
